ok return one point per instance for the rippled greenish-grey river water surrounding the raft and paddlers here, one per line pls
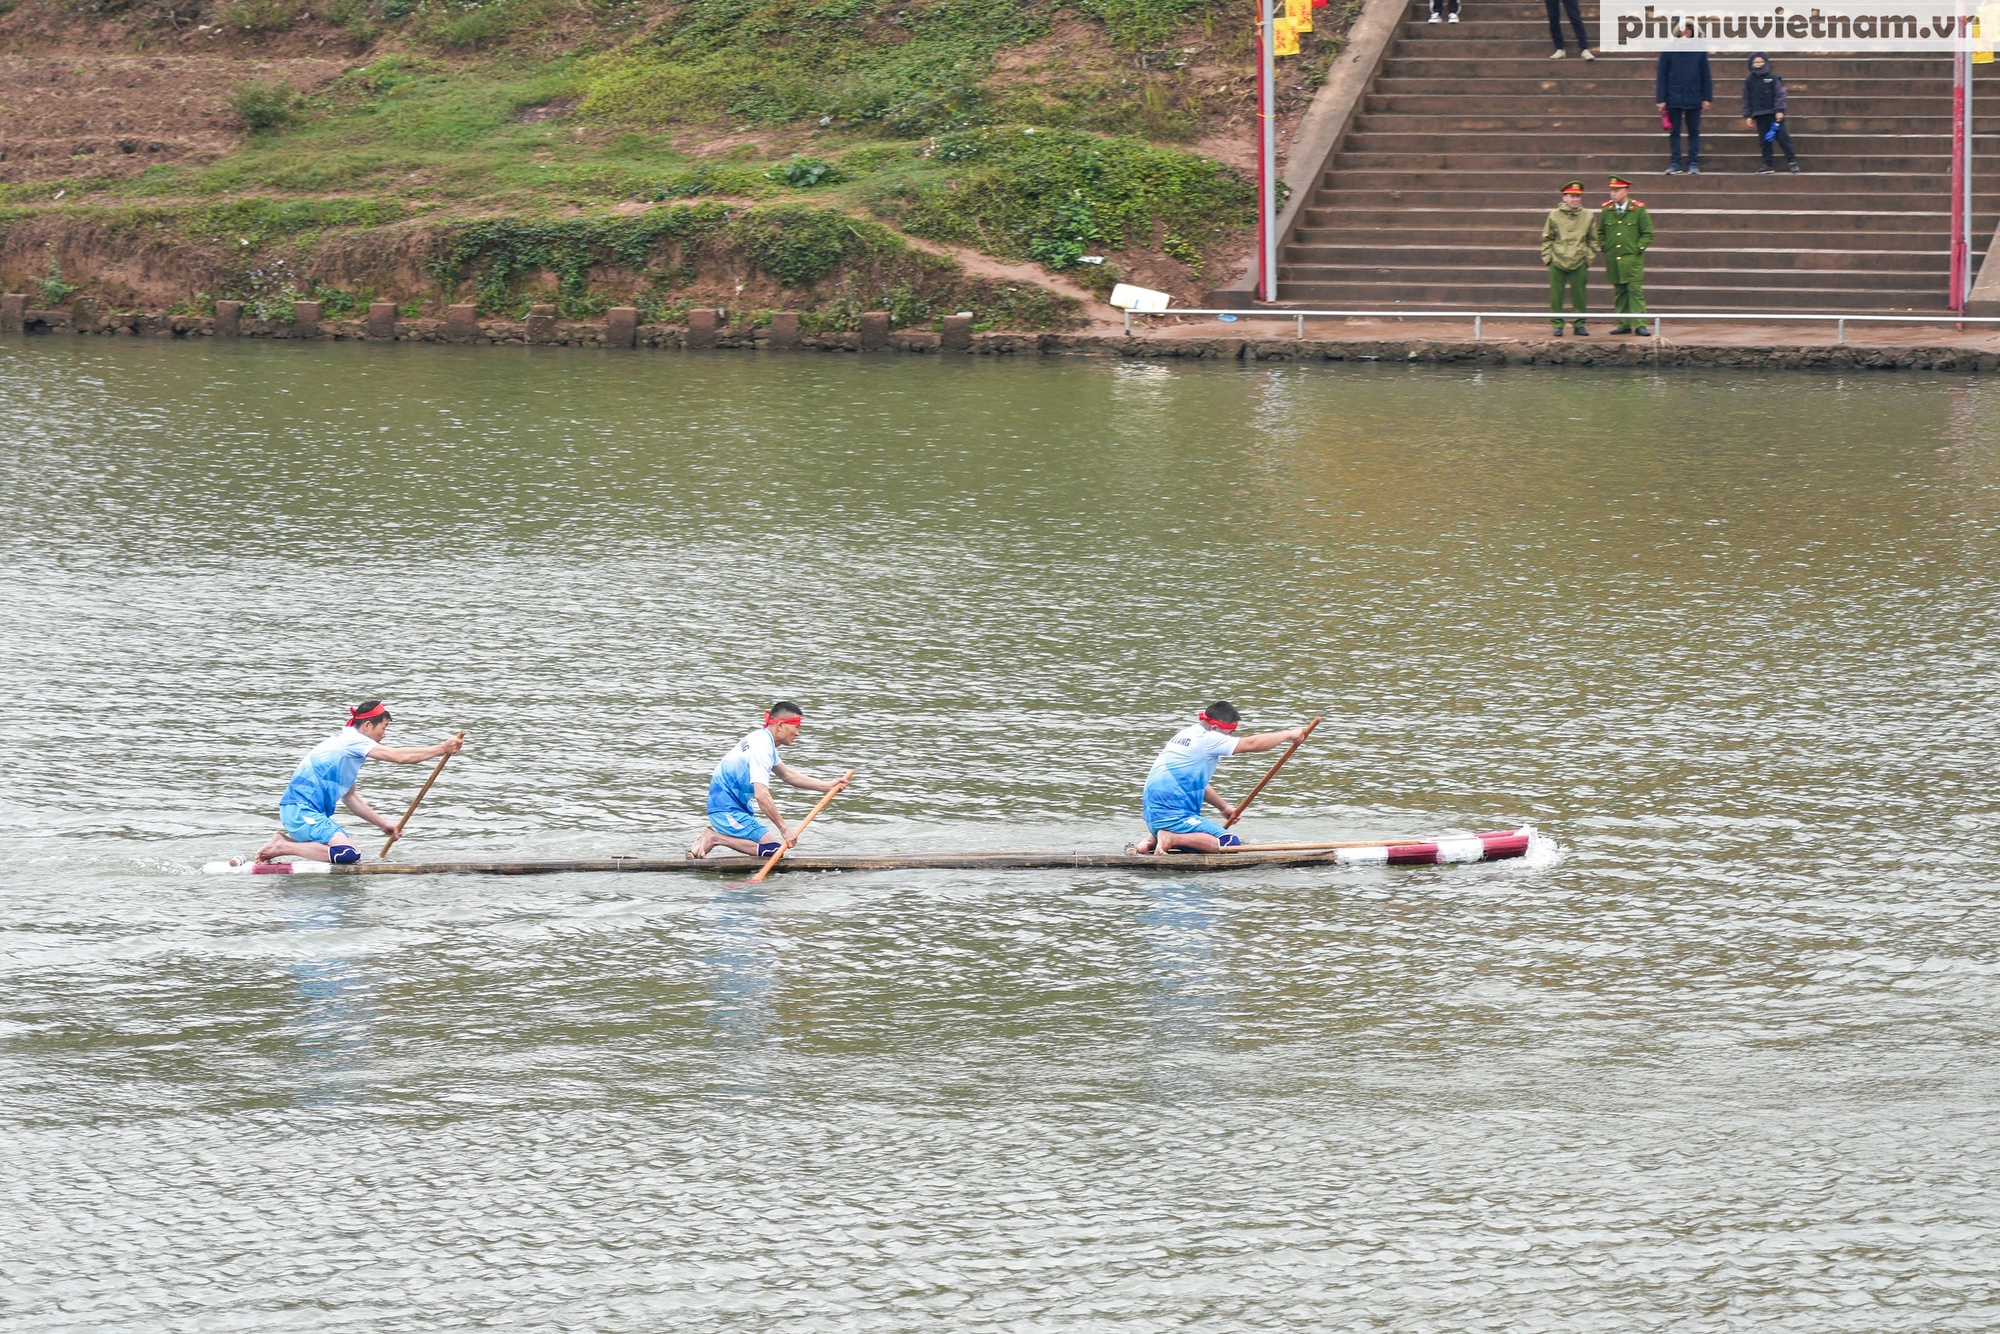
(1721, 1057)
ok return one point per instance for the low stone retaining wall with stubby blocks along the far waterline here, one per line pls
(707, 331)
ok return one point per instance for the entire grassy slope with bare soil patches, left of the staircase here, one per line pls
(825, 157)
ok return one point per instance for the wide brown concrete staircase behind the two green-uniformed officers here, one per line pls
(1461, 145)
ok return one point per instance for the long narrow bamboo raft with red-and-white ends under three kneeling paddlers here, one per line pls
(1495, 847)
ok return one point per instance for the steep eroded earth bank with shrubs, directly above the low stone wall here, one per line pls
(349, 255)
